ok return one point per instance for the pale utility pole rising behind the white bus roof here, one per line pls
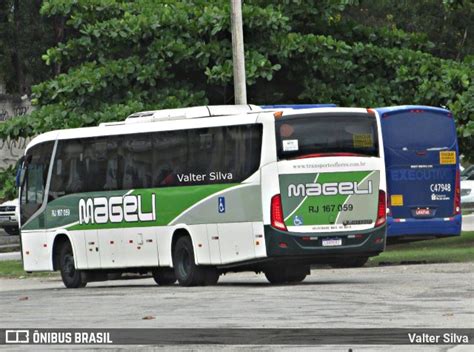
(240, 88)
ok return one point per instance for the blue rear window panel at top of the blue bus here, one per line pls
(418, 131)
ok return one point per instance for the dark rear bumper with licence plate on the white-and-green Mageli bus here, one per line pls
(323, 247)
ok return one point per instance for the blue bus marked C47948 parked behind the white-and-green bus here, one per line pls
(422, 168)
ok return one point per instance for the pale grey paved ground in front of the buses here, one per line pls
(416, 296)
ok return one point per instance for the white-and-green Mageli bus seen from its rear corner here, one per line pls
(189, 194)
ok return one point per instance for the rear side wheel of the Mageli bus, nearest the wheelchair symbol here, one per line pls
(186, 271)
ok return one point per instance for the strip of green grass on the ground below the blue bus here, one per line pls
(442, 250)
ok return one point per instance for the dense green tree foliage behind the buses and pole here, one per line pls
(122, 56)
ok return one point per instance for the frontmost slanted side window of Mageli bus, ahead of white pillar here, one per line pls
(33, 189)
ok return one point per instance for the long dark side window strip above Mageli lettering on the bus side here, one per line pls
(161, 159)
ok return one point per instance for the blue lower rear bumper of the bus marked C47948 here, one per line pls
(424, 227)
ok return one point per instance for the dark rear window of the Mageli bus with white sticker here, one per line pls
(351, 134)
